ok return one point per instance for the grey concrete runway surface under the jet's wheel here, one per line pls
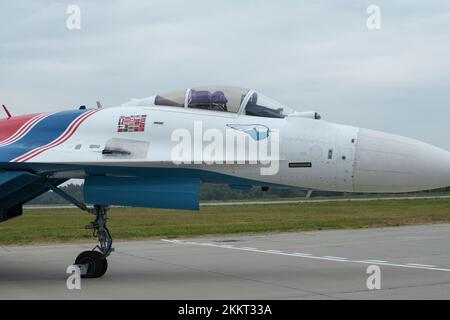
(414, 263)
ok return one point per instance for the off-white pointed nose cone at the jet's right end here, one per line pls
(390, 163)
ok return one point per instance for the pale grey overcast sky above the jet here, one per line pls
(312, 55)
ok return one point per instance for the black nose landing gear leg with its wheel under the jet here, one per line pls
(93, 263)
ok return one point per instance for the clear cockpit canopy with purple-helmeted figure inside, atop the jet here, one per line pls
(224, 99)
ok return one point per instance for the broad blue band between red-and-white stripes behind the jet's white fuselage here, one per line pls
(44, 132)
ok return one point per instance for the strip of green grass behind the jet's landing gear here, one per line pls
(66, 225)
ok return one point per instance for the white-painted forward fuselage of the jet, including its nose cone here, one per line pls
(342, 158)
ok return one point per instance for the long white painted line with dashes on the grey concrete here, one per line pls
(309, 256)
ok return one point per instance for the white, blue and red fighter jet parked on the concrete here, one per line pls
(155, 152)
